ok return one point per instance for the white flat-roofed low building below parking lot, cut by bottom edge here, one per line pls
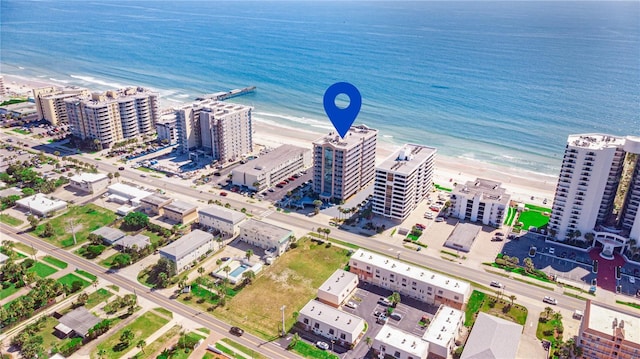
(396, 343)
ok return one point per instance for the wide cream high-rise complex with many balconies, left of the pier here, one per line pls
(113, 116)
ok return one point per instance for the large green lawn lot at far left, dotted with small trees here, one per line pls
(87, 218)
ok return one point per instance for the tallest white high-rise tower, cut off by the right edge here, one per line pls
(598, 191)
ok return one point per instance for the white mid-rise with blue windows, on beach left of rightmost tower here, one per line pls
(481, 200)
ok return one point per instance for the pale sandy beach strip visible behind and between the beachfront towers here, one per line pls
(520, 183)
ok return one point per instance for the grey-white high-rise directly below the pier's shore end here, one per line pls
(223, 130)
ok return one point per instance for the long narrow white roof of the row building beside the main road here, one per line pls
(412, 271)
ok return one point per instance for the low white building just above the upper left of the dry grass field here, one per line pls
(273, 239)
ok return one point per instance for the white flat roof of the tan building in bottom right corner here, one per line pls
(606, 319)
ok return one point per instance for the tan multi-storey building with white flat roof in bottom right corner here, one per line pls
(607, 332)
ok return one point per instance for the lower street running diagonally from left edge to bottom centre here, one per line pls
(269, 349)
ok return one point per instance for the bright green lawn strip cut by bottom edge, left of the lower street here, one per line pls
(142, 328)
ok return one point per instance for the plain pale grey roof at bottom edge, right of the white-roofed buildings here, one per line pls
(492, 338)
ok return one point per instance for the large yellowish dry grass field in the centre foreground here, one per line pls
(291, 281)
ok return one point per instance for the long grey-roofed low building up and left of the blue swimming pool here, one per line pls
(188, 248)
